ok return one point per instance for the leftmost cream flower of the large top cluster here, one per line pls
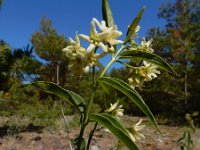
(74, 50)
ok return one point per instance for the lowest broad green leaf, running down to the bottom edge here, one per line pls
(115, 128)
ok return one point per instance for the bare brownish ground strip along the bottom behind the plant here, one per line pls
(58, 140)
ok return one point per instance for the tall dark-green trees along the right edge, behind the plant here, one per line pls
(178, 43)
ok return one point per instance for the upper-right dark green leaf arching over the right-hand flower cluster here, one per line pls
(150, 57)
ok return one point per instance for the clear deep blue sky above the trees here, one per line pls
(19, 19)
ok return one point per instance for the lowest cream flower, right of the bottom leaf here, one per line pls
(133, 131)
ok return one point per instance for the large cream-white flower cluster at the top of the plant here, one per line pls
(105, 39)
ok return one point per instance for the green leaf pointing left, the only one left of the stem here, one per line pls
(71, 97)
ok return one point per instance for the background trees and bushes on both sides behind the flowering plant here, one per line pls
(168, 97)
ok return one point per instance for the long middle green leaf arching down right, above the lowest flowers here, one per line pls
(132, 94)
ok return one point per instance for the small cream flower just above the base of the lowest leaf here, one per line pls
(115, 110)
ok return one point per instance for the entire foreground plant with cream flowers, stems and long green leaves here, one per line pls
(103, 41)
